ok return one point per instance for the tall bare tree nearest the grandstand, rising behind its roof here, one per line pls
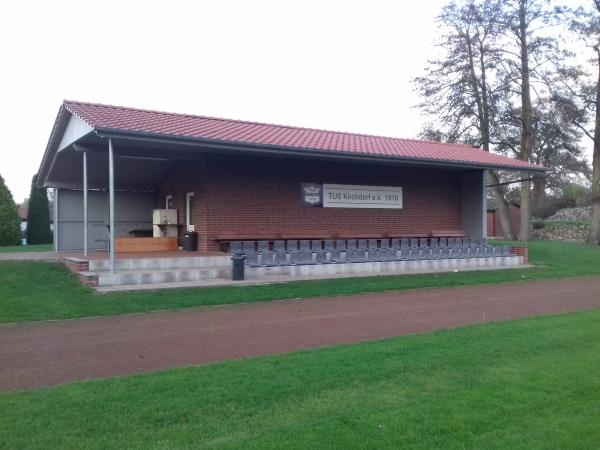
(461, 91)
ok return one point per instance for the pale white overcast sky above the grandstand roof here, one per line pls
(340, 65)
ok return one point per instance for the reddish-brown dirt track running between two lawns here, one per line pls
(49, 353)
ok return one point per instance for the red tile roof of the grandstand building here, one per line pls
(122, 119)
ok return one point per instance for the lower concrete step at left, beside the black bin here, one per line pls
(160, 276)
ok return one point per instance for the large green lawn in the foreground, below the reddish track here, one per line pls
(525, 384)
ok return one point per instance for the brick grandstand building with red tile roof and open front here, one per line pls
(231, 180)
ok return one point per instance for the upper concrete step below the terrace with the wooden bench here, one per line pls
(189, 262)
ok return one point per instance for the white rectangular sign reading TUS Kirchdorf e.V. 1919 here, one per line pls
(351, 196)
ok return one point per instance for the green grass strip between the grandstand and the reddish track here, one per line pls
(38, 291)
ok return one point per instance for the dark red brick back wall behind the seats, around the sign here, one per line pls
(245, 194)
